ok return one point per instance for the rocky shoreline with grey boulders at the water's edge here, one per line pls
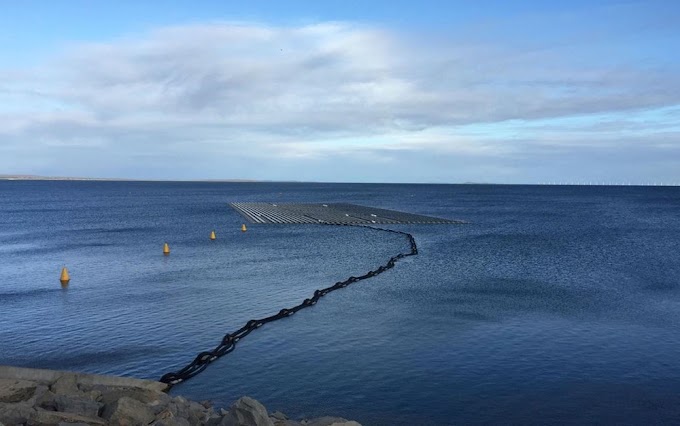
(56, 398)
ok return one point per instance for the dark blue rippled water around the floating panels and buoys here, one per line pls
(555, 305)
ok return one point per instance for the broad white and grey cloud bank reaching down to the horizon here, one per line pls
(336, 102)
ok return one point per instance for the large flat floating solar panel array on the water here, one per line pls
(331, 213)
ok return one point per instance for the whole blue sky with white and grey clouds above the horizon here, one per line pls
(343, 91)
